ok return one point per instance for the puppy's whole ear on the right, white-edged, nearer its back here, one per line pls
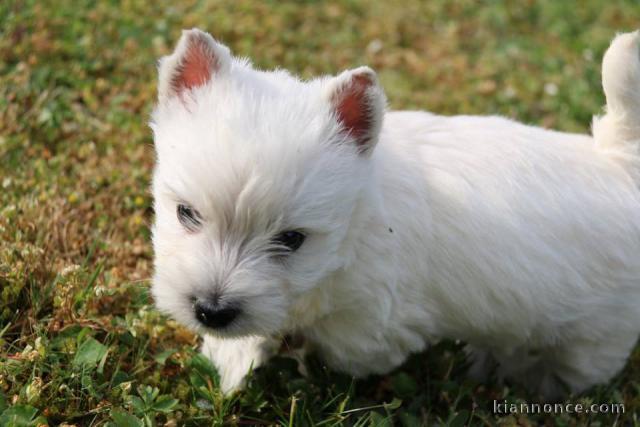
(358, 103)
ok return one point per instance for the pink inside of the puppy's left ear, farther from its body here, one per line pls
(197, 66)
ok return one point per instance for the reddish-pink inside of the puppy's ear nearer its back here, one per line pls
(353, 111)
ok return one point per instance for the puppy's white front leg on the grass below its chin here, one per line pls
(234, 358)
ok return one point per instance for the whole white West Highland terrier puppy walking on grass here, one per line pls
(290, 206)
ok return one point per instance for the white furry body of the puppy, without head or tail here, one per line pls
(515, 238)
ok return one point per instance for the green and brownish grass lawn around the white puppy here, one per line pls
(80, 342)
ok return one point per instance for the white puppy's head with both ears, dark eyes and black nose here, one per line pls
(255, 184)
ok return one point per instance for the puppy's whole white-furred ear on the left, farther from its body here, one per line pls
(194, 62)
